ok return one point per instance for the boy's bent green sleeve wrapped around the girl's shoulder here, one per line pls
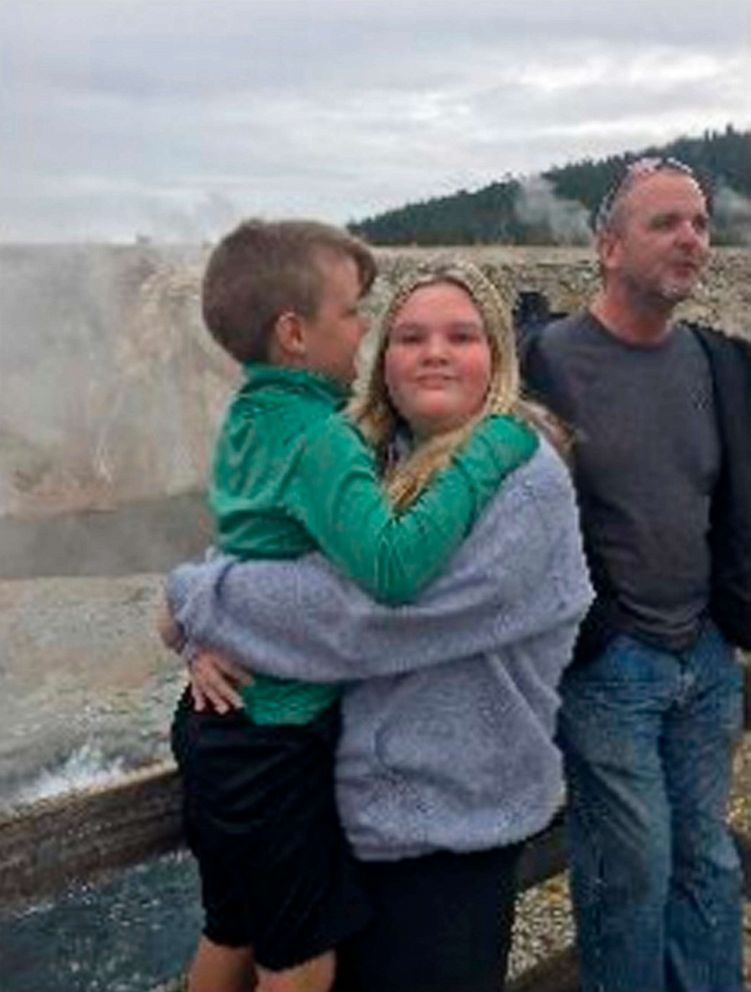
(336, 495)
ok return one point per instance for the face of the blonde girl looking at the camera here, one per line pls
(437, 362)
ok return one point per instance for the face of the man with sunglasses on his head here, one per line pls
(660, 245)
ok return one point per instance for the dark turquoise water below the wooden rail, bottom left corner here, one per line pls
(131, 933)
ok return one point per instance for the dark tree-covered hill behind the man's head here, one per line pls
(556, 207)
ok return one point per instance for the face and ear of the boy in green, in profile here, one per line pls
(333, 336)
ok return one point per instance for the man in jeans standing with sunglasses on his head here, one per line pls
(661, 414)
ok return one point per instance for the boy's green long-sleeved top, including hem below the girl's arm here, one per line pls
(291, 475)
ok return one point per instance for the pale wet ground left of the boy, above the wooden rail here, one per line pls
(87, 687)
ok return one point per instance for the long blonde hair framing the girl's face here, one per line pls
(371, 407)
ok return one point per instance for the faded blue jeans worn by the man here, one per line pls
(647, 738)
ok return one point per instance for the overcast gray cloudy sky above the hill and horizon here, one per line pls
(170, 118)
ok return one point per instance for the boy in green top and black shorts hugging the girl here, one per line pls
(292, 475)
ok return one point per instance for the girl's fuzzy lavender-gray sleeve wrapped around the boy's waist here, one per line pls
(520, 574)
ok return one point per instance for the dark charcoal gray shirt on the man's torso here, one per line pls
(646, 460)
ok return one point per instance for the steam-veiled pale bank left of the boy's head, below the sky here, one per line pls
(111, 386)
